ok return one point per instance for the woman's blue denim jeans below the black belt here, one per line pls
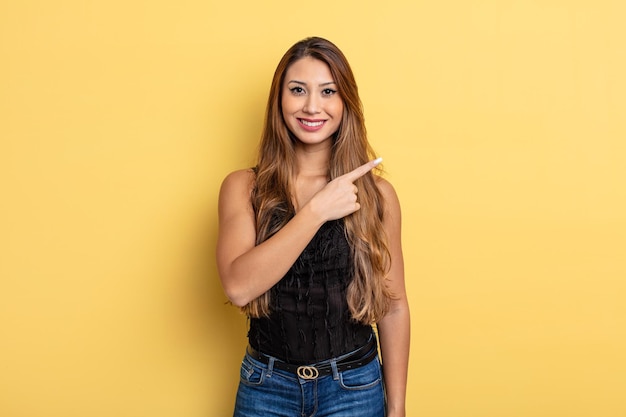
(268, 392)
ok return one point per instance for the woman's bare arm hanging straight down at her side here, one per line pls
(394, 328)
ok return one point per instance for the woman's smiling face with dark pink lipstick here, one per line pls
(312, 107)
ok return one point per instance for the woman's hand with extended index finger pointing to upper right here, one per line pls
(339, 197)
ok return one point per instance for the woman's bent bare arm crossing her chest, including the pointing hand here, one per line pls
(248, 271)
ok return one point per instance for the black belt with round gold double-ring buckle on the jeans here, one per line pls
(322, 368)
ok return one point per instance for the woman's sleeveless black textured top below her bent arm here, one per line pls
(310, 320)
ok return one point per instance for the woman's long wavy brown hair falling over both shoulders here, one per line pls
(367, 296)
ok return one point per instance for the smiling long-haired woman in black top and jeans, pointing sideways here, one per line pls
(309, 248)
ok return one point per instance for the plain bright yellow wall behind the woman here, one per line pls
(502, 127)
